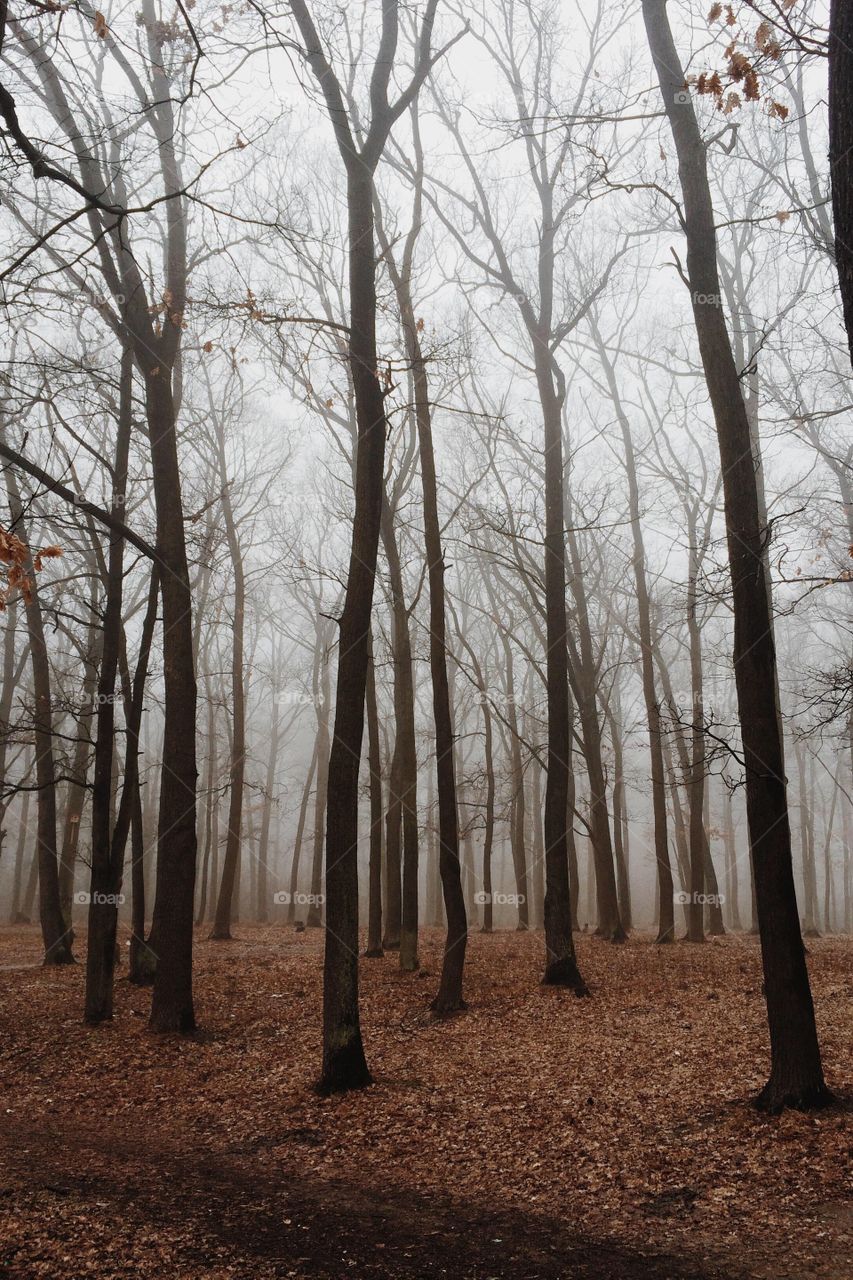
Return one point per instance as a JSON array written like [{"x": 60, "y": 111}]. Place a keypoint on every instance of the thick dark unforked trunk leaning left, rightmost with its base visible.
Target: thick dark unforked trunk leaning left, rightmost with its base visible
[{"x": 797, "y": 1077}]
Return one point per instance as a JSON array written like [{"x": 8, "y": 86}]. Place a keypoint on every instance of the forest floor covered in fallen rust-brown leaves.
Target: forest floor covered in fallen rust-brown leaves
[{"x": 535, "y": 1136}]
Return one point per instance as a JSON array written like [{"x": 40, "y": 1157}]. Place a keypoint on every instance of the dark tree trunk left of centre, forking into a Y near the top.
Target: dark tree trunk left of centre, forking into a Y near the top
[{"x": 344, "y": 1062}]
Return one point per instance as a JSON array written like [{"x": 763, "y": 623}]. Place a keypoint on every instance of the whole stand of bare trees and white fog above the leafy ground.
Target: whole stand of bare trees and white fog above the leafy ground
[{"x": 426, "y": 437}]
